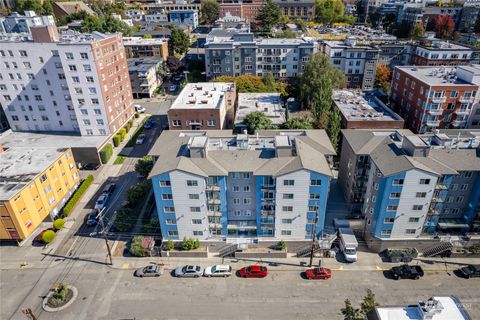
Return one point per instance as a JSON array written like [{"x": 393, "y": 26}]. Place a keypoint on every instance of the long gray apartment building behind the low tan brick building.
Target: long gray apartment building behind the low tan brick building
[{"x": 236, "y": 53}]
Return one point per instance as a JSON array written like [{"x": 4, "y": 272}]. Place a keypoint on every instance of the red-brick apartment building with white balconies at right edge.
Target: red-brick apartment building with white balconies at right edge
[{"x": 430, "y": 98}]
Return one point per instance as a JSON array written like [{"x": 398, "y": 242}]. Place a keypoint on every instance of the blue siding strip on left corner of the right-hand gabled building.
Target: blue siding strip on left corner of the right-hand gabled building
[{"x": 382, "y": 202}]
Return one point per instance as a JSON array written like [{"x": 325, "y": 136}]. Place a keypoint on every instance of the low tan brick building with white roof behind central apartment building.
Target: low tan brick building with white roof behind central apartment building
[{"x": 203, "y": 106}]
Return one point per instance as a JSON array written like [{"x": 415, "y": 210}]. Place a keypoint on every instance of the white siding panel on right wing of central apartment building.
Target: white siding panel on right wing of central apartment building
[{"x": 301, "y": 194}]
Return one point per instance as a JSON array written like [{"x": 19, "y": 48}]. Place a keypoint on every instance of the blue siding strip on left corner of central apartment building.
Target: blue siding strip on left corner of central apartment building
[{"x": 163, "y": 216}]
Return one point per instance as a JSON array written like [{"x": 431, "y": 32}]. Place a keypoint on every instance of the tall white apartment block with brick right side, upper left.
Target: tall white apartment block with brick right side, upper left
[{"x": 72, "y": 82}]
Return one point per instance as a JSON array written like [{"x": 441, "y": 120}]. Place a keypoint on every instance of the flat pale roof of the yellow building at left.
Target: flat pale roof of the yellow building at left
[{"x": 19, "y": 165}]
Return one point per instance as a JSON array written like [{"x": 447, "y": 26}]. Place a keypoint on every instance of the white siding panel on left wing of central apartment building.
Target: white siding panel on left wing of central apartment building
[{"x": 182, "y": 204}]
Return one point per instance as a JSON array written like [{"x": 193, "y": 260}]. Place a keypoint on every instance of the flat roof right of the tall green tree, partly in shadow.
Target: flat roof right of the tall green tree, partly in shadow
[{"x": 357, "y": 106}]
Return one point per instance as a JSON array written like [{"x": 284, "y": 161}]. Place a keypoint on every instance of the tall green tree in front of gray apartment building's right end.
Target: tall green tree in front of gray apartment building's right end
[{"x": 316, "y": 84}]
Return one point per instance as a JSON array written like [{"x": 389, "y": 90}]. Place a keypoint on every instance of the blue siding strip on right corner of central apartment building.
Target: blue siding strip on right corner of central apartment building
[{"x": 322, "y": 190}]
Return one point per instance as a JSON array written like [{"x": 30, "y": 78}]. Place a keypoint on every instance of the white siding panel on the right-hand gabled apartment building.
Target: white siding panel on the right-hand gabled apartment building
[{"x": 408, "y": 199}]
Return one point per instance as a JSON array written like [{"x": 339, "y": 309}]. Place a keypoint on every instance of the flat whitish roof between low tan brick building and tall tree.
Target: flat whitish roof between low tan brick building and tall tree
[{"x": 270, "y": 104}]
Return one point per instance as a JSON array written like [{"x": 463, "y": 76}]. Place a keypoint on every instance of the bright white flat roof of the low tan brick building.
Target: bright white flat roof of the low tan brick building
[{"x": 202, "y": 95}]
